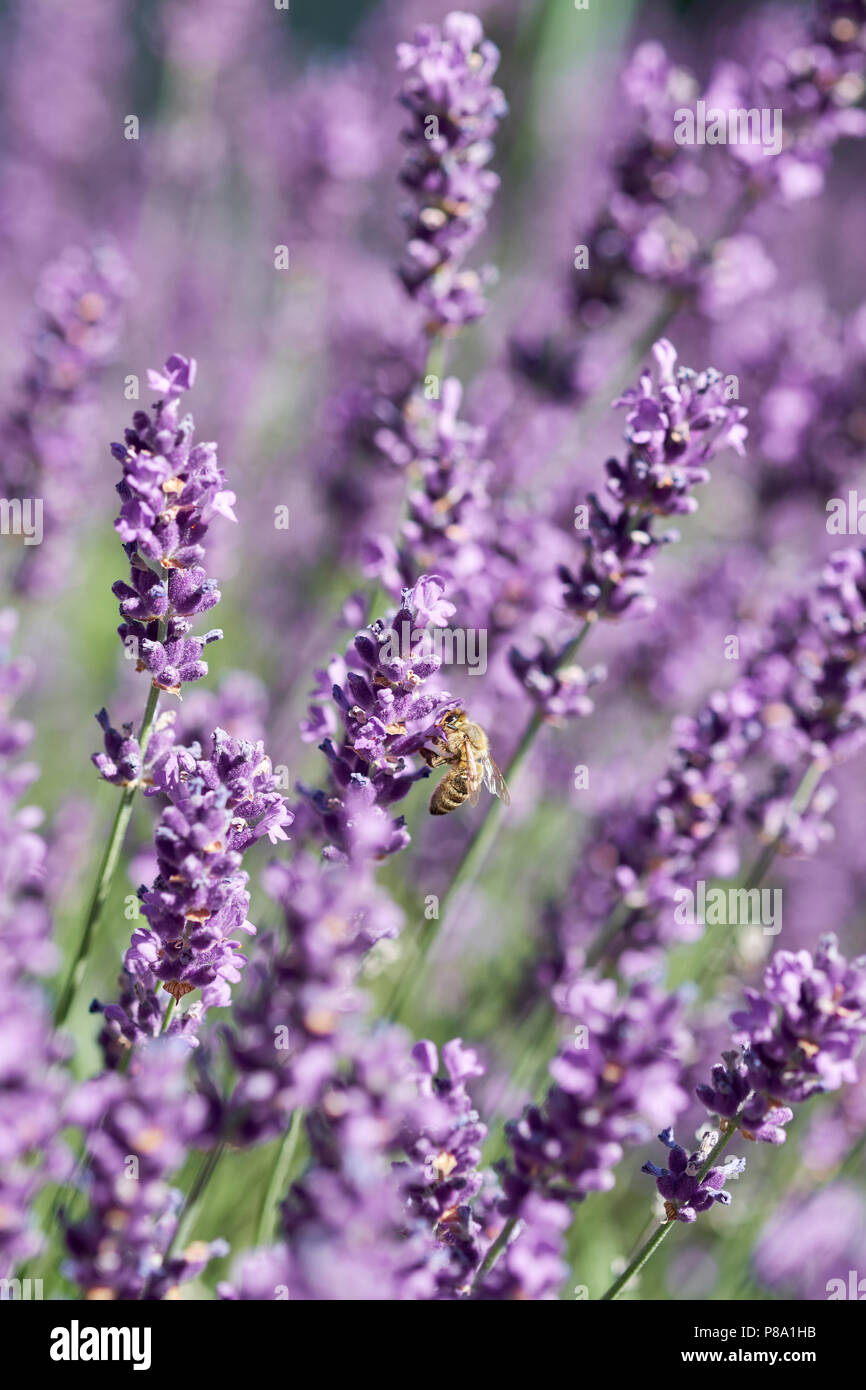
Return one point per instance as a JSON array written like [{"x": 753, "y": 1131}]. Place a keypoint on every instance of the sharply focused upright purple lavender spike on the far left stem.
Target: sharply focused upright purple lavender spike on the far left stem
[{"x": 170, "y": 493}]
